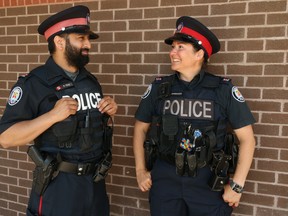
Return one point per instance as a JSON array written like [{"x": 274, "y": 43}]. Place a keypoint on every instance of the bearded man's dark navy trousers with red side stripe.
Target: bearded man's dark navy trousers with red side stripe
[{"x": 71, "y": 195}]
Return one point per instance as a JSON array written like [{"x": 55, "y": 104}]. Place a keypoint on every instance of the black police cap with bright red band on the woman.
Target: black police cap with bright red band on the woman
[{"x": 191, "y": 30}]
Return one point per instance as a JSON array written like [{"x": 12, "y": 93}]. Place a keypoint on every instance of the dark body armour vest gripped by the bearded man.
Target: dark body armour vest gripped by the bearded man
[{"x": 79, "y": 134}]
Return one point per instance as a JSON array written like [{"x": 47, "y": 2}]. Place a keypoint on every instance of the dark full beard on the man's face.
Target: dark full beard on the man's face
[{"x": 74, "y": 56}]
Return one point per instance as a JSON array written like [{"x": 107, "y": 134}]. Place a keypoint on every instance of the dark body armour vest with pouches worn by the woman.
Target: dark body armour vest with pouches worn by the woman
[{"x": 189, "y": 118}]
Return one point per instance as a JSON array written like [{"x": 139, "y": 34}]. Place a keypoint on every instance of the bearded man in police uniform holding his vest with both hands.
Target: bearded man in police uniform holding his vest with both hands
[{"x": 61, "y": 107}]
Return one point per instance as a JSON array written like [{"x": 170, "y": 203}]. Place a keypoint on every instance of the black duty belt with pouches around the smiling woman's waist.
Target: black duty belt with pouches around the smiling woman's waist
[{"x": 222, "y": 164}]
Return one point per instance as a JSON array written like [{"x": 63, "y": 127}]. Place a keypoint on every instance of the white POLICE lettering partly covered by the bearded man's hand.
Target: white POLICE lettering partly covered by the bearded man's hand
[{"x": 87, "y": 100}]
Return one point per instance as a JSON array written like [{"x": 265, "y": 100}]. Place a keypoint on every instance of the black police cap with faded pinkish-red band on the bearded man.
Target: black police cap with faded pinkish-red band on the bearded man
[{"x": 71, "y": 20}]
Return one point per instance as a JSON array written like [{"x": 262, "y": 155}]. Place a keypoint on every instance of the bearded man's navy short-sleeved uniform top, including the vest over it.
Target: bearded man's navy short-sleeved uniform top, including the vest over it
[{"x": 37, "y": 93}]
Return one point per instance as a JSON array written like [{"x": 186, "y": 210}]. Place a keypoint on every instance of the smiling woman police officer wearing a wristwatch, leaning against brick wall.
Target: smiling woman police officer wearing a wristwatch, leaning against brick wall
[{"x": 188, "y": 113}]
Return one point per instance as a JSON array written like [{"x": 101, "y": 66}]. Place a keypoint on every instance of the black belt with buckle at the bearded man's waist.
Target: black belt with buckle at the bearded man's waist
[{"x": 77, "y": 168}]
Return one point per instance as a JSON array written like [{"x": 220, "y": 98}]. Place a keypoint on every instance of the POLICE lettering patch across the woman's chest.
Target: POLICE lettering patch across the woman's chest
[{"x": 189, "y": 108}]
